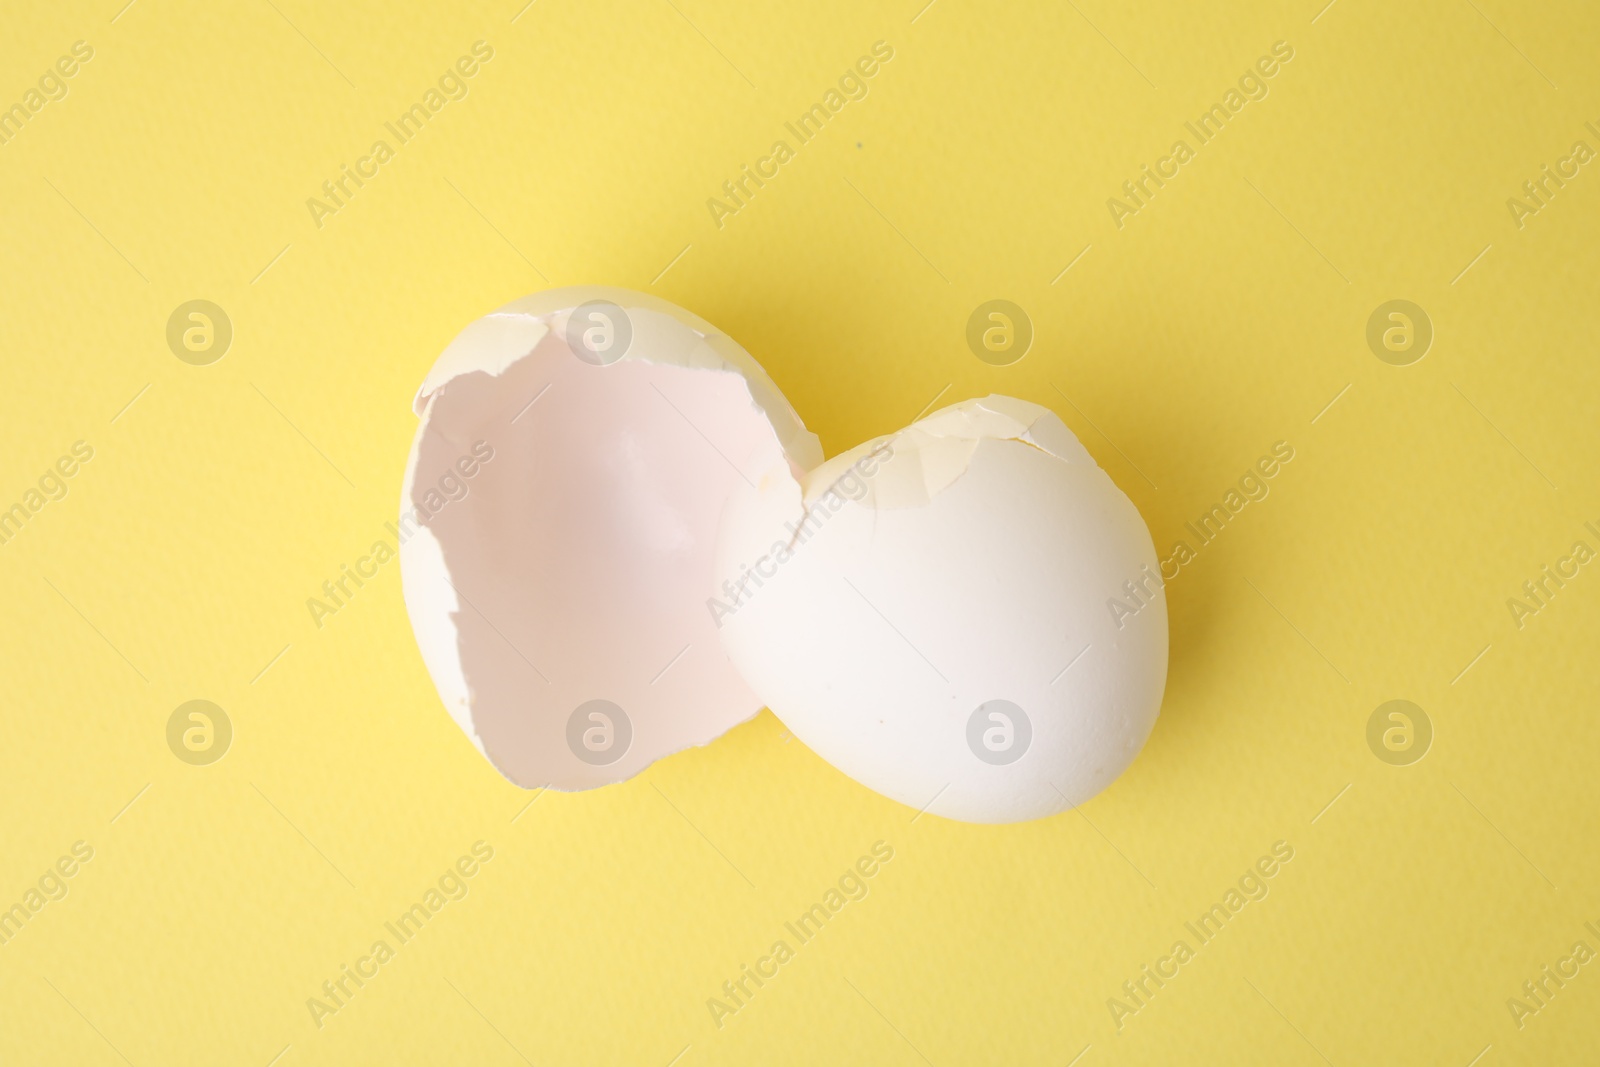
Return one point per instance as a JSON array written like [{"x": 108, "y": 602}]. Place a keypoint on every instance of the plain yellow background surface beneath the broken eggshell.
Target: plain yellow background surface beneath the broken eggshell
[{"x": 1220, "y": 319}]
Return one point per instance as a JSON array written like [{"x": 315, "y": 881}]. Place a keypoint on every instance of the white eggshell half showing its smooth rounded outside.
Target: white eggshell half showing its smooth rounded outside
[{"x": 886, "y": 601}]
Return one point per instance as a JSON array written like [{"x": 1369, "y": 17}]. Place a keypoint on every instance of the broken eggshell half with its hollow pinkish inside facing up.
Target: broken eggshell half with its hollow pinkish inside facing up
[{"x": 558, "y": 526}]
